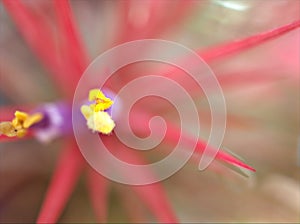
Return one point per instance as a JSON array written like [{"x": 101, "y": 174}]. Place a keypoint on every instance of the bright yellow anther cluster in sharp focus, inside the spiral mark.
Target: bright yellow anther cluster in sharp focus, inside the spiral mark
[{"x": 97, "y": 119}]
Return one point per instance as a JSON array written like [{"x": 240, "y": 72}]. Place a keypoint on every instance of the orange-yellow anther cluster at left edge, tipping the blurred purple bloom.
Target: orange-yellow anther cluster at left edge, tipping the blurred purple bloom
[{"x": 19, "y": 125}]
